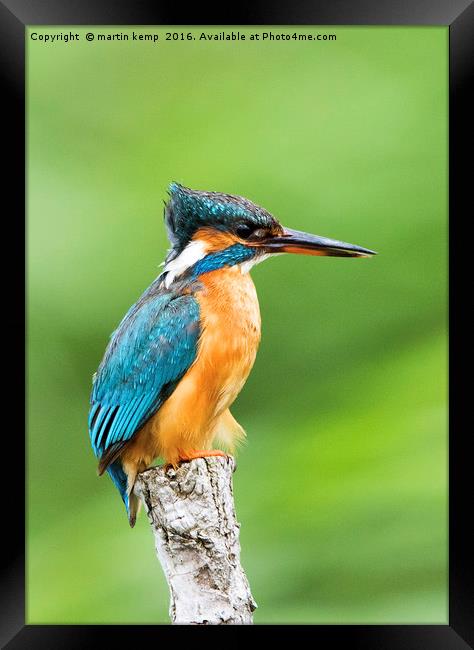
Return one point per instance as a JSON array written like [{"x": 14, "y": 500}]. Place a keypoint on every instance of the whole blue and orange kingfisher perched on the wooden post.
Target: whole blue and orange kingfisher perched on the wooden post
[{"x": 183, "y": 351}]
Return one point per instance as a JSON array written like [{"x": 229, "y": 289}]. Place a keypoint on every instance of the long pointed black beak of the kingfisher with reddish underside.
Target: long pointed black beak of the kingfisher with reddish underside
[{"x": 295, "y": 241}]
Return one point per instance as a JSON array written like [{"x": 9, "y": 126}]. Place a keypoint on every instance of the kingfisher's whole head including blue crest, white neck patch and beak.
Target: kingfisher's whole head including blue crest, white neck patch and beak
[{"x": 209, "y": 230}]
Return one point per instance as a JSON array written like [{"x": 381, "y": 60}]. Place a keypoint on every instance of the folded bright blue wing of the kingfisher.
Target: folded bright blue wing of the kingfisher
[{"x": 150, "y": 351}]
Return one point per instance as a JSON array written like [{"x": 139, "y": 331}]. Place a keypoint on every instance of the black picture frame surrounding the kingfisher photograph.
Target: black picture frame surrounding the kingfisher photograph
[{"x": 15, "y": 15}]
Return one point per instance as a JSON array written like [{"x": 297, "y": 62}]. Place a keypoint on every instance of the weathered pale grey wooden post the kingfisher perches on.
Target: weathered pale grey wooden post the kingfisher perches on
[{"x": 192, "y": 515}]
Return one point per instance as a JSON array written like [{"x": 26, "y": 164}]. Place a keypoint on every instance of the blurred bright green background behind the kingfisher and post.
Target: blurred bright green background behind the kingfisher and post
[{"x": 341, "y": 489}]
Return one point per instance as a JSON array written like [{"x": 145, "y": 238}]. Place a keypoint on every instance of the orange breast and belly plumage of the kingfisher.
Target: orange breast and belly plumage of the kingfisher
[{"x": 230, "y": 321}]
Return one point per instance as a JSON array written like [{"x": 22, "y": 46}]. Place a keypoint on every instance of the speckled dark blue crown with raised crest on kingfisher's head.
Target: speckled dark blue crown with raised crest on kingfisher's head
[{"x": 188, "y": 210}]
